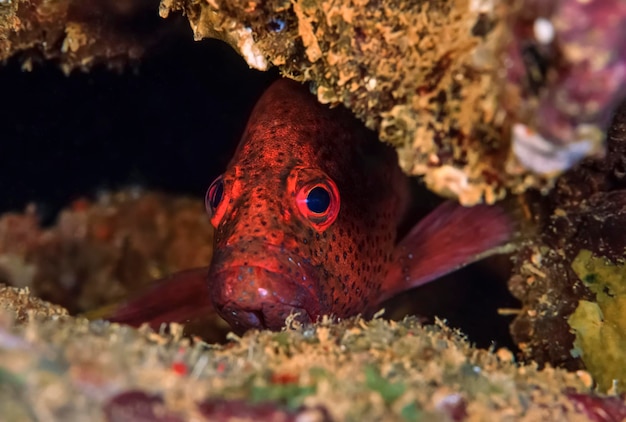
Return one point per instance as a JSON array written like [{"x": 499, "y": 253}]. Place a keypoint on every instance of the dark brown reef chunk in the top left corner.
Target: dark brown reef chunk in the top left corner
[{"x": 78, "y": 33}]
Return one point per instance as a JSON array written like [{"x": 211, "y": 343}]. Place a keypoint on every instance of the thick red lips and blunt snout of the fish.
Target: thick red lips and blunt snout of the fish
[{"x": 260, "y": 290}]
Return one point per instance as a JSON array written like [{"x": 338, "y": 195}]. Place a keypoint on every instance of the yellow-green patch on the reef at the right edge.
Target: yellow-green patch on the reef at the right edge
[{"x": 600, "y": 326}]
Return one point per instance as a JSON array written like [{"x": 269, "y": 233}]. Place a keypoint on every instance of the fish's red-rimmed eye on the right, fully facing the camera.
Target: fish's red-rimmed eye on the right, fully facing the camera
[{"x": 319, "y": 203}]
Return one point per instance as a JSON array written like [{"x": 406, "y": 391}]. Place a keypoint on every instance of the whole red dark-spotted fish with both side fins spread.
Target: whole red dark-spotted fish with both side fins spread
[{"x": 305, "y": 221}]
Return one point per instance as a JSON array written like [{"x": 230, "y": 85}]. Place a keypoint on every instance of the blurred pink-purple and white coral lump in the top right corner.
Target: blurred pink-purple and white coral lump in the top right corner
[{"x": 565, "y": 68}]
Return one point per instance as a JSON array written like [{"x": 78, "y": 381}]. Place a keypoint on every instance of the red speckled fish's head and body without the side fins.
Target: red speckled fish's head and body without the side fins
[{"x": 302, "y": 222}]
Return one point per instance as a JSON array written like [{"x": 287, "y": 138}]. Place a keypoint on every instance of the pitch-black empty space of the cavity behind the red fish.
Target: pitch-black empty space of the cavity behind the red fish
[{"x": 171, "y": 123}]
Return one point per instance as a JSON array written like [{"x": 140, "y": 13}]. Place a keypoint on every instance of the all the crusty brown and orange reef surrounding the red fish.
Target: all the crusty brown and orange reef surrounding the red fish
[{"x": 480, "y": 98}]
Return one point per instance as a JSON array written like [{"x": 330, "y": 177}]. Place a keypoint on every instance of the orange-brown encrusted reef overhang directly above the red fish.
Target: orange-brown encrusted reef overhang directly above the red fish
[{"x": 411, "y": 70}]
